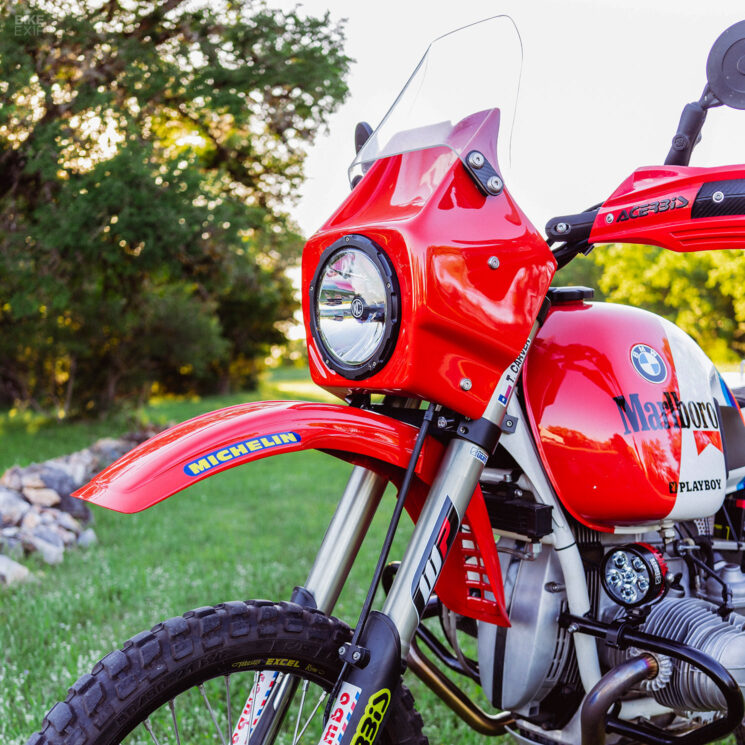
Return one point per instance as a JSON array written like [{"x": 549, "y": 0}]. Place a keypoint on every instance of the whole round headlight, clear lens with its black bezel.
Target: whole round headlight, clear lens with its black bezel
[{"x": 354, "y": 307}]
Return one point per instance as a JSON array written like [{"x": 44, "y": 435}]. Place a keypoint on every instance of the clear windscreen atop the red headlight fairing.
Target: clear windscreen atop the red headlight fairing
[{"x": 473, "y": 69}]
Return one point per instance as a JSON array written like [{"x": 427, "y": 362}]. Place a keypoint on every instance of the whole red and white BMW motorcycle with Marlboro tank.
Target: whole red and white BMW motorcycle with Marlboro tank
[{"x": 575, "y": 470}]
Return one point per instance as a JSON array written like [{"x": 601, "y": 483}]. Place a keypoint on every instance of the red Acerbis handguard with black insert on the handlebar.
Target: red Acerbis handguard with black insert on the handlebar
[{"x": 677, "y": 207}]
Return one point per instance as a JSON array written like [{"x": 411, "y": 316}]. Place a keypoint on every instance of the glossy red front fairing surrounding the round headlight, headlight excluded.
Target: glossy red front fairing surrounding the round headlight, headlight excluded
[{"x": 423, "y": 209}]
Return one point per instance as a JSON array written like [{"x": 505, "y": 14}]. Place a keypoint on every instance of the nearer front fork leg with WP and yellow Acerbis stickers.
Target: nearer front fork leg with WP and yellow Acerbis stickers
[{"x": 387, "y": 635}]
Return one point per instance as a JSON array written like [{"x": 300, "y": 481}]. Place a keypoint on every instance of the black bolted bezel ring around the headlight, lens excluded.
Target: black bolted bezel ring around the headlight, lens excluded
[{"x": 393, "y": 318}]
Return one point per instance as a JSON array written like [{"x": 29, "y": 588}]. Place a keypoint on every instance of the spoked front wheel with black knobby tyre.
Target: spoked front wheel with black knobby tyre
[{"x": 210, "y": 676}]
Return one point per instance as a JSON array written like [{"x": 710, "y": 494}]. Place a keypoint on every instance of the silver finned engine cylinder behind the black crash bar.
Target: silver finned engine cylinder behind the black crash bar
[{"x": 695, "y": 623}]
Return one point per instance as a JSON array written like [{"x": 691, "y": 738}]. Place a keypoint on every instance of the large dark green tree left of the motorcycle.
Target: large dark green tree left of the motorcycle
[{"x": 147, "y": 150}]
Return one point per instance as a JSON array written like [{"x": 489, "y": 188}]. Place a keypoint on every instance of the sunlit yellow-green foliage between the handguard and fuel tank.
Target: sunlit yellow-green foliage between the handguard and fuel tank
[{"x": 702, "y": 292}]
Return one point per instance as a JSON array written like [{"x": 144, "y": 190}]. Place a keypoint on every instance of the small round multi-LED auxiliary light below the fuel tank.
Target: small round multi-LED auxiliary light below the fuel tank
[{"x": 633, "y": 574}]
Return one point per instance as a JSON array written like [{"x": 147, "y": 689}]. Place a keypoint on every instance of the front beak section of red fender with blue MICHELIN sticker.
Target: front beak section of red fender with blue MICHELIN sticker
[{"x": 189, "y": 452}]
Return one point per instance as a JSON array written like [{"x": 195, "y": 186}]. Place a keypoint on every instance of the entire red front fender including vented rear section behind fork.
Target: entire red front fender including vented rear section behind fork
[{"x": 193, "y": 450}]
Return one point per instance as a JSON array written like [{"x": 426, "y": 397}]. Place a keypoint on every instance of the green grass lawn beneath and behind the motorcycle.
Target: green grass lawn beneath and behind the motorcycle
[{"x": 250, "y": 532}]
